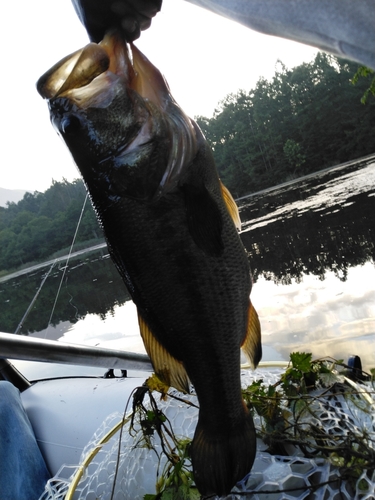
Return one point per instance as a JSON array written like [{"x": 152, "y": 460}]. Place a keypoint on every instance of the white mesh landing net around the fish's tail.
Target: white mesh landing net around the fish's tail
[{"x": 131, "y": 472}]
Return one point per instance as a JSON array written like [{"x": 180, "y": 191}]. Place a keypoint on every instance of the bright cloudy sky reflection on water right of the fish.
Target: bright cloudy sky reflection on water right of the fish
[{"x": 330, "y": 318}]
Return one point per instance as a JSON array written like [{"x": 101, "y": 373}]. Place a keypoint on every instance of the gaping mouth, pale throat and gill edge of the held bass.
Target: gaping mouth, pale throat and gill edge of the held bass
[{"x": 86, "y": 78}]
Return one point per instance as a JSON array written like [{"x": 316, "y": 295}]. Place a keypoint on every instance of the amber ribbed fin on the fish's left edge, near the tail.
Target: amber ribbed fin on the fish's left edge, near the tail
[{"x": 171, "y": 371}]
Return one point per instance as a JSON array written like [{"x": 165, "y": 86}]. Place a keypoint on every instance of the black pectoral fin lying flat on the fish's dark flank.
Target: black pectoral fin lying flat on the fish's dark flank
[{"x": 204, "y": 219}]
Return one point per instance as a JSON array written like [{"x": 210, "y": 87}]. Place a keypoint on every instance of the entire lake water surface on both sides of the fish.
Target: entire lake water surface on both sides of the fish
[{"x": 311, "y": 249}]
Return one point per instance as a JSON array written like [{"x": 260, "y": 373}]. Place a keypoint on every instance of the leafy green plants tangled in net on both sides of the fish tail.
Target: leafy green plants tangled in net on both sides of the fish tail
[{"x": 296, "y": 411}]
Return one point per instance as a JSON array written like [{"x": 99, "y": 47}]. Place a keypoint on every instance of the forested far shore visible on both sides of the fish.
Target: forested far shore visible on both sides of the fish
[{"x": 303, "y": 120}]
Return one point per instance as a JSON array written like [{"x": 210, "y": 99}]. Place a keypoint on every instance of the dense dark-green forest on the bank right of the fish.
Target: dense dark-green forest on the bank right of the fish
[{"x": 303, "y": 120}]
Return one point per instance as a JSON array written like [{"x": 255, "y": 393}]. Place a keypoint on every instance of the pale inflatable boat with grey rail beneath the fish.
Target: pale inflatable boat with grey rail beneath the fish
[{"x": 79, "y": 401}]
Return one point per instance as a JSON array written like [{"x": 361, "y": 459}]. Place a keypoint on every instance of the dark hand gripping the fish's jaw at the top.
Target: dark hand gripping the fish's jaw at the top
[{"x": 129, "y": 16}]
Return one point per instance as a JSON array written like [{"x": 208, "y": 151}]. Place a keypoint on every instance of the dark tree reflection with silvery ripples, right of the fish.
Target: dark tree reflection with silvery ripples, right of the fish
[{"x": 324, "y": 223}]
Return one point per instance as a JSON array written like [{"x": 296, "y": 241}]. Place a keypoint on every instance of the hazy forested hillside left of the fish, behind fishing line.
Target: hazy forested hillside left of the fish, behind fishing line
[{"x": 43, "y": 223}]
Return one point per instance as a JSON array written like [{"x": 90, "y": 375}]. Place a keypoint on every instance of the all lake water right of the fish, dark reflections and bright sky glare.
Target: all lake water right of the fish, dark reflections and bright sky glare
[{"x": 311, "y": 246}]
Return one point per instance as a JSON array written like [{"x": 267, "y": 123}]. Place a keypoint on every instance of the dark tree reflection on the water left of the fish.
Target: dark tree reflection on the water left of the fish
[{"x": 91, "y": 285}]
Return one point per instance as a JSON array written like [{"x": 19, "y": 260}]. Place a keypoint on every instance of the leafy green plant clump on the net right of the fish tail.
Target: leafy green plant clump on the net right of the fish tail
[{"x": 296, "y": 411}]
